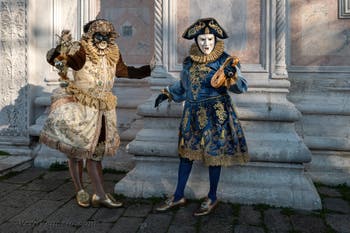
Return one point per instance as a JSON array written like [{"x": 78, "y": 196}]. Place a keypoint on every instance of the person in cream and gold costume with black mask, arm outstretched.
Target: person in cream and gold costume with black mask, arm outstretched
[{"x": 82, "y": 119}]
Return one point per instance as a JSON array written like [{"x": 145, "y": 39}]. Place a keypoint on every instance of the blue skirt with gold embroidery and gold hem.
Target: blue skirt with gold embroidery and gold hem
[{"x": 210, "y": 131}]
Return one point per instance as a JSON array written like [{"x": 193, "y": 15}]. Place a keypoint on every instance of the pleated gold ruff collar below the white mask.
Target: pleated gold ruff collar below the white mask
[{"x": 199, "y": 57}]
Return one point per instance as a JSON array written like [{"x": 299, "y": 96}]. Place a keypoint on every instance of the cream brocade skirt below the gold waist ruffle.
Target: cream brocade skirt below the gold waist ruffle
[{"x": 78, "y": 130}]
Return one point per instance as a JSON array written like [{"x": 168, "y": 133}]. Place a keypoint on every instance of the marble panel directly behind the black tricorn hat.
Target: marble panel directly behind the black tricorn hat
[{"x": 240, "y": 19}]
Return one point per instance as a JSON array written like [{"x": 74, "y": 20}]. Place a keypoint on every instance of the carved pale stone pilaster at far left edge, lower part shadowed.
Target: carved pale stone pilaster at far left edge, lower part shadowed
[{"x": 14, "y": 103}]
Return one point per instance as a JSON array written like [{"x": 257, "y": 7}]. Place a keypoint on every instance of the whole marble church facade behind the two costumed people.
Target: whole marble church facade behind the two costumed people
[{"x": 296, "y": 115}]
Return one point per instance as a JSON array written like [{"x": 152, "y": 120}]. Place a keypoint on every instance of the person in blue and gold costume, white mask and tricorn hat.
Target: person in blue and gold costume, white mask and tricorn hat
[{"x": 210, "y": 130}]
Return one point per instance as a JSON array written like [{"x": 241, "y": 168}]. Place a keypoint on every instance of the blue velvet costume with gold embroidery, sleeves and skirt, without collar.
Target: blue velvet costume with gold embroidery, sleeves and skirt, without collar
[{"x": 210, "y": 129}]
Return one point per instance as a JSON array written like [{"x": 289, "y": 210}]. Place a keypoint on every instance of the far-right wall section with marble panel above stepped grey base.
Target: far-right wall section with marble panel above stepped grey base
[{"x": 319, "y": 71}]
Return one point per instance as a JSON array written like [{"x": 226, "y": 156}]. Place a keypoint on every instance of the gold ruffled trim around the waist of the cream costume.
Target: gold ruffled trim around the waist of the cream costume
[{"x": 107, "y": 102}]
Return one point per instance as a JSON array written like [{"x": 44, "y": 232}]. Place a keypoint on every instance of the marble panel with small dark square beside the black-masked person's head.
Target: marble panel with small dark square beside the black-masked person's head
[{"x": 134, "y": 22}]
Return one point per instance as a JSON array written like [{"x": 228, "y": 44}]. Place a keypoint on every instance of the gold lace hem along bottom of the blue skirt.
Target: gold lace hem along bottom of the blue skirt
[{"x": 210, "y": 160}]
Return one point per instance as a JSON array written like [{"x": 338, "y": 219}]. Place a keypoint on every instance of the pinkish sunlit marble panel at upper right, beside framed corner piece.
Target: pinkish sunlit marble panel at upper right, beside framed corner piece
[{"x": 318, "y": 37}]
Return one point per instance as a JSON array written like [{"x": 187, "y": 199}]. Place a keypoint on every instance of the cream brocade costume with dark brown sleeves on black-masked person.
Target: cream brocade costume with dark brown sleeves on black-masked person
[{"x": 76, "y": 116}]
